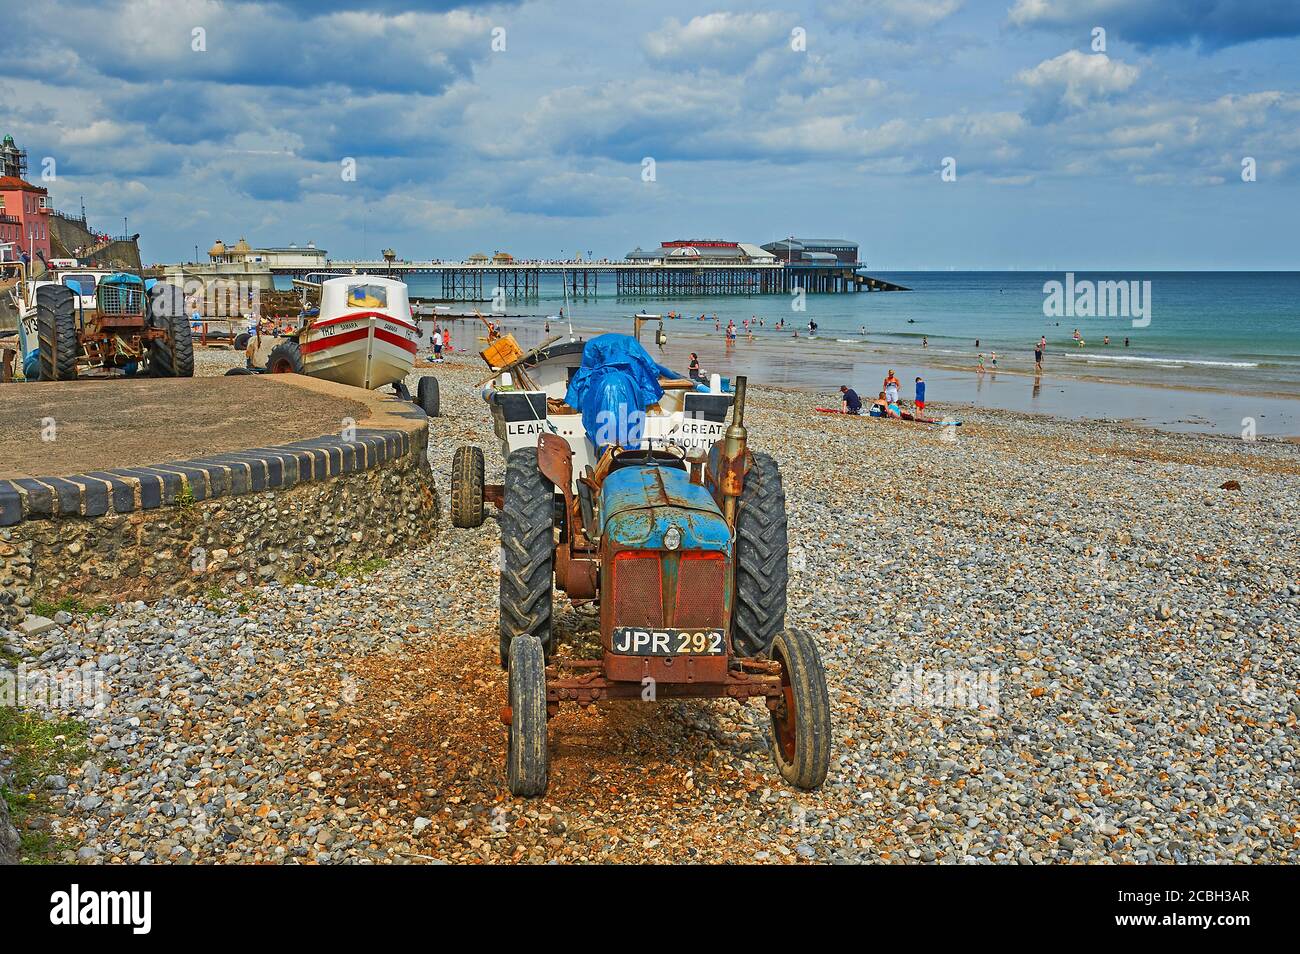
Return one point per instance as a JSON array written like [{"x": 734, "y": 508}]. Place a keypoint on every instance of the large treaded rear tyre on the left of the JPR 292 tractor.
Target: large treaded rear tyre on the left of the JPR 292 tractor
[{"x": 527, "y": 553}]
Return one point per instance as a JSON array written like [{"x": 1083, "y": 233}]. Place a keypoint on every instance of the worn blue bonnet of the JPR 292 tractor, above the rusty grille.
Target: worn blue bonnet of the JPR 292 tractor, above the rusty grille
[{"x": 640, "y": 504}]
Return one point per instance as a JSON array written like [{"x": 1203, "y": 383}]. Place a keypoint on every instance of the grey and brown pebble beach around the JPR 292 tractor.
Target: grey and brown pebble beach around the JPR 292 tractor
[{"x": 1047, "y": 641}]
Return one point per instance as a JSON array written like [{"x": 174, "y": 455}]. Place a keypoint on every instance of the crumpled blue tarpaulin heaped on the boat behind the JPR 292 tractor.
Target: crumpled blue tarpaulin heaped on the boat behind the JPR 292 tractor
[{"x": 614, "y": 387}]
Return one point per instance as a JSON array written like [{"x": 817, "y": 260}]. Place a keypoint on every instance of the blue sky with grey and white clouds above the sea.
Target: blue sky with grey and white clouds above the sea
[{"x": 527, "y": 127}]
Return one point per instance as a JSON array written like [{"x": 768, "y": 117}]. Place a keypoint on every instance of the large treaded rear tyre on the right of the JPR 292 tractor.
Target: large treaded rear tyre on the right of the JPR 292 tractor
[{"x": 762, "y": 552}]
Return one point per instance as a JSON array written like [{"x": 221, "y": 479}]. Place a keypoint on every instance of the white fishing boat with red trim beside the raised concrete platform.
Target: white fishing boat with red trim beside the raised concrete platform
[{"x": 363, "y": 335}]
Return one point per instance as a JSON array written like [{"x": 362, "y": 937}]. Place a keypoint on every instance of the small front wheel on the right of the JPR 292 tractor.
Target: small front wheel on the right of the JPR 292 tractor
[{"x": 801, "y": 727}]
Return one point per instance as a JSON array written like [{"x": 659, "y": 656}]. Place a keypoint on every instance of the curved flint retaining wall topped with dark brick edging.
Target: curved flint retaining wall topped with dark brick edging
[{"x": 226, "y": 521}]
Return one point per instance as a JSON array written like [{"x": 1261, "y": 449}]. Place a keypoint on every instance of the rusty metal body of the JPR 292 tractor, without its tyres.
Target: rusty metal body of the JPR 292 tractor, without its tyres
[{"x": 623, "y": 560}]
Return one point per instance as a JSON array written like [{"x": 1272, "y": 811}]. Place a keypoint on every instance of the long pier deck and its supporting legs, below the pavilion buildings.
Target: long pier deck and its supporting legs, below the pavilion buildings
[{"x": 478, "y": 281}]
